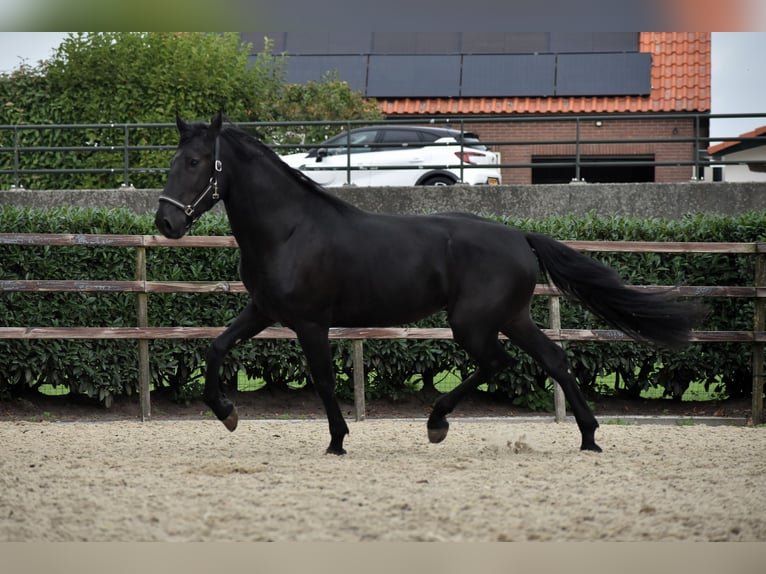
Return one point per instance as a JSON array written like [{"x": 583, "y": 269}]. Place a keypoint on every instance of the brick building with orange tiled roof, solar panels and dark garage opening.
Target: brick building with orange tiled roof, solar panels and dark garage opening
[{"x": 635, "y": 92}]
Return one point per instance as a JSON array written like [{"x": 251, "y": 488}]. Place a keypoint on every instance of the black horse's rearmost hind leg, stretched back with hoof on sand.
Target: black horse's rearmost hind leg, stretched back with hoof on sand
[{"x": 531, "y": 339}]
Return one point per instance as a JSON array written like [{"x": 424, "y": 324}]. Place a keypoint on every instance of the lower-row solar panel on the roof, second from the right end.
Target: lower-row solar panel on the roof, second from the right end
[{"x": 506, "y": 76}]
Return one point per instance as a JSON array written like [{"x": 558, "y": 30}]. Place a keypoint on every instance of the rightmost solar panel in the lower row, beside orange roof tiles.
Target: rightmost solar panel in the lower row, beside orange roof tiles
[{"x": 603, "y": 74}]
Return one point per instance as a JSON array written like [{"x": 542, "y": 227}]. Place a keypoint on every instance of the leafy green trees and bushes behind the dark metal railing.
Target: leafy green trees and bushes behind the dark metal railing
[{"x": 148, "y": 77}]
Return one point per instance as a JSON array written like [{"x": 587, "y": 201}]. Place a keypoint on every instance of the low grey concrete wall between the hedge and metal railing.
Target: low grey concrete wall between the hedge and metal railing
[{"x": 665, "y": 201}]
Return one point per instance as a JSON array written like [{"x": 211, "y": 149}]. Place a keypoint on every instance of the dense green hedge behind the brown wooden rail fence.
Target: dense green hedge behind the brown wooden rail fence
[{"x": 105, "y": 369}]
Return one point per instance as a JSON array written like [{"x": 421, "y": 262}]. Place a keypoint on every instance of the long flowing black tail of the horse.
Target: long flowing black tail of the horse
[{"x": 643, "y": 315}]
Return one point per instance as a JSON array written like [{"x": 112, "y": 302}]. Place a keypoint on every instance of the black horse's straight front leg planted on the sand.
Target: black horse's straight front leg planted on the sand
[{"x": 316, "y": 346}]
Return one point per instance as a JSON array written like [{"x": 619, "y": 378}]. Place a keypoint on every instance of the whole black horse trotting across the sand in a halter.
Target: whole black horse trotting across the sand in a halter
[{"x": 311, "y": 261}]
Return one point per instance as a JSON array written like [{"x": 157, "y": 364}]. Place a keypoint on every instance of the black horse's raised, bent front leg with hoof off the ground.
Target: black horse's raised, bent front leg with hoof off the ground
[{"x": 248, "y": 323}]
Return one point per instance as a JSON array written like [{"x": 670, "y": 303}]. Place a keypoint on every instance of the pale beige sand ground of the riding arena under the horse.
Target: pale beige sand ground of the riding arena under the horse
[{"x": 491, "y": 480}]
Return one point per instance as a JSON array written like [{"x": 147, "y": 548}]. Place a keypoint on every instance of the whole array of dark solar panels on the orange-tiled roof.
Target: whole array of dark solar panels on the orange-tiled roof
[{"x": 573, "y": 63}]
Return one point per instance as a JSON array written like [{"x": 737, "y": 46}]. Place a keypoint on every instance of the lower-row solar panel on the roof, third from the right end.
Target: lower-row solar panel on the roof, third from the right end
[{"x": 413, "y": 76}]
